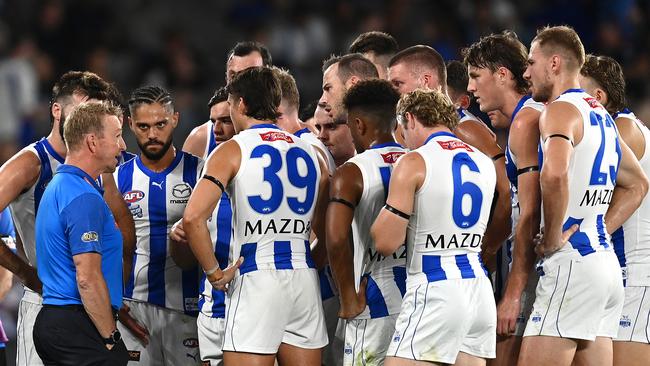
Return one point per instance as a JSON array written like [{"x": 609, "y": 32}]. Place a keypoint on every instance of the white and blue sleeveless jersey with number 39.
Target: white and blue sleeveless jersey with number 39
[{"x": 273, "y": 196}]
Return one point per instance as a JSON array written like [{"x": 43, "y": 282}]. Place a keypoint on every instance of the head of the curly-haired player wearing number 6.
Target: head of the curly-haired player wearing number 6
[{"x": 421, "y": 110}]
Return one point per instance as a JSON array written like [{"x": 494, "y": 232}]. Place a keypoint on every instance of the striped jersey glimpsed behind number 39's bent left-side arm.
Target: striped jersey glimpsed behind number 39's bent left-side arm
[{"x": 212, "y": 302}]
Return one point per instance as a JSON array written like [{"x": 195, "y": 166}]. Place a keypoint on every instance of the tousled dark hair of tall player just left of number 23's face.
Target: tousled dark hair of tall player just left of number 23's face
[{"x": 500, "y": 50}]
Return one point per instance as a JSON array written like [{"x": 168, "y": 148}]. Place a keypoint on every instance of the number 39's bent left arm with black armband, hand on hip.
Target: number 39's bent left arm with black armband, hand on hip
[{"x": 221, "y": 166}]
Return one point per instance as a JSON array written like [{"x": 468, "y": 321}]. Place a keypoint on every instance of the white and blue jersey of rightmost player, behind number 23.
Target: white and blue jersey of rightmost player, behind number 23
[{"x": 632, "y": 240}]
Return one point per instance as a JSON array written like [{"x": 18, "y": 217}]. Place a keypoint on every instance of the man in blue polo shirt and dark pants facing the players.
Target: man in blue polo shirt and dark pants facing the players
[{"x": 79, "y": 248}]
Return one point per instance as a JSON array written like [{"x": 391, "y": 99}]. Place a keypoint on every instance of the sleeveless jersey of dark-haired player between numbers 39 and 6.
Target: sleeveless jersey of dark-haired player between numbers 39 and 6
[{"x": 386, "y": 275}]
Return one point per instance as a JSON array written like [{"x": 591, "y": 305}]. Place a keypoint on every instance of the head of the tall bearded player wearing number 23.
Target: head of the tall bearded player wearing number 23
[{"x": 556, "y": 52}]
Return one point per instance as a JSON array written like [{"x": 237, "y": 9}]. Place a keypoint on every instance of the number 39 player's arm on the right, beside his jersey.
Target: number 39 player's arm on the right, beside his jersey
[{"x": 319, "y": 252}]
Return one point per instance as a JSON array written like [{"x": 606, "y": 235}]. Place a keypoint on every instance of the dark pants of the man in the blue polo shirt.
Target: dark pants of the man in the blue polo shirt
[{"x": 65, "y": 335}]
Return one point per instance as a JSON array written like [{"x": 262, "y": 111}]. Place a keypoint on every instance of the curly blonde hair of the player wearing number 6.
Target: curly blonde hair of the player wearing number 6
[{"x": 430, "y": 107}]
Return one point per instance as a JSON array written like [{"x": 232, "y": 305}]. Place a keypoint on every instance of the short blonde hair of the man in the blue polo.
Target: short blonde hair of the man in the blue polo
[{"x": 85, "y": 119}]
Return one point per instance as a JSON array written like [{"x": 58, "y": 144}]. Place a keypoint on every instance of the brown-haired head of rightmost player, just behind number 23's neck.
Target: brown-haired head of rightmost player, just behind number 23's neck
[{"x": 602, "y": 77}]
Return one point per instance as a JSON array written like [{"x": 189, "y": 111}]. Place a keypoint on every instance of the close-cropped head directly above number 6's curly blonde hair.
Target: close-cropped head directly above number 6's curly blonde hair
[{"x": 417, "y": 67}]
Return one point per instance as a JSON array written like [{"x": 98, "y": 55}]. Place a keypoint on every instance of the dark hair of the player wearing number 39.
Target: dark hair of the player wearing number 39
[{"x": 260, "y": 90}]
